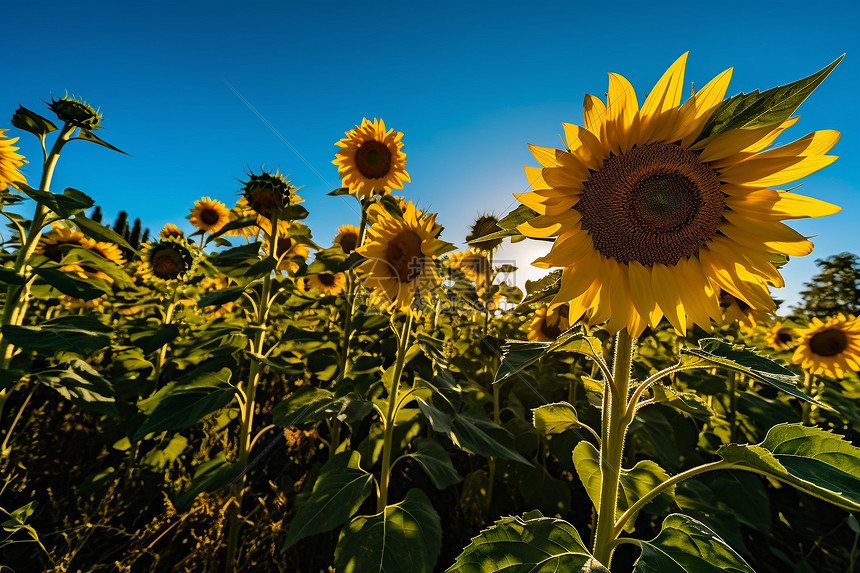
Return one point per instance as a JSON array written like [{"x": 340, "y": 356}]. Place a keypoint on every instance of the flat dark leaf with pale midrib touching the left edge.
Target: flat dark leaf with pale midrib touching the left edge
[{"x": 79, "y": 334}]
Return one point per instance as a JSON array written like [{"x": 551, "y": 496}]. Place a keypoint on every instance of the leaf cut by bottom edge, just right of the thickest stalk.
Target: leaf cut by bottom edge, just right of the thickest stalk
[{"x": 685, "y": 545}]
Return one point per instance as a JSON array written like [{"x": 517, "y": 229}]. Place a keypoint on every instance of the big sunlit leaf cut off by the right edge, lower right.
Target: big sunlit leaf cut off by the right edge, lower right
[{"x": 811, "y": 459}]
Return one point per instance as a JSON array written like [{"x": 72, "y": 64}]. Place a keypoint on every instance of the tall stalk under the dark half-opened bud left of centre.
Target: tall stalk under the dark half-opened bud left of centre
[{"x": 246, "y": 411}]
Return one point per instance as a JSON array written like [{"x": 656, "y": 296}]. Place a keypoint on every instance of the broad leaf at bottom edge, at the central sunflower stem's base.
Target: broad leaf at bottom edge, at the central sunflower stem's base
[{"x": 404, "y": 536}]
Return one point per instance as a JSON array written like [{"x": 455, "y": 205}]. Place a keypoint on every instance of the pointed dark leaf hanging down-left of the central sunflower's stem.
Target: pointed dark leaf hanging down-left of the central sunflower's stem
[{"x": 338, "y": 492}]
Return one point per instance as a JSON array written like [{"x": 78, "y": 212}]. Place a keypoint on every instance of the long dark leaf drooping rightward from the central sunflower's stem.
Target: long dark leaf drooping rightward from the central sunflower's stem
[{"x": 472, "y": 434}]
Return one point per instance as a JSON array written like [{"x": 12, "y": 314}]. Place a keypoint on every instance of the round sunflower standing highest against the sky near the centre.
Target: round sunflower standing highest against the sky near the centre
[{"x": 371, "y": 161}]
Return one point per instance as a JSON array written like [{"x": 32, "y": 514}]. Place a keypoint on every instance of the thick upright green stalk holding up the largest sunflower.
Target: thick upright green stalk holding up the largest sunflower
[{"x": 615, "y": 427}]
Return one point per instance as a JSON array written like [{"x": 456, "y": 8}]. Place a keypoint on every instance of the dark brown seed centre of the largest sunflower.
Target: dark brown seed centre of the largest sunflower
[{"x": 655, "y": 204}]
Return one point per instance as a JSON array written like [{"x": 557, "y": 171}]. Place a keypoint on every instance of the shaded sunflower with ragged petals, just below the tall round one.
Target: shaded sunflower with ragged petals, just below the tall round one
[{"x": 401, "y": 255}]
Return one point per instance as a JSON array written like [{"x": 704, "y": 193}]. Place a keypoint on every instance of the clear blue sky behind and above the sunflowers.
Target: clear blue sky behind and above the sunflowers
[{"x": 470, "y": 83}]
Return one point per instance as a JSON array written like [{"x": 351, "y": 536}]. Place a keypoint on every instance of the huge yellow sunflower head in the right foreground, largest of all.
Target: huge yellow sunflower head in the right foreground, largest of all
[{"x": 650, "y": 221}]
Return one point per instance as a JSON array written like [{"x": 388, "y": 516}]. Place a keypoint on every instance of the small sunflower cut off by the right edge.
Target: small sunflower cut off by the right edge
[{"x": 831, "y": 347}]
